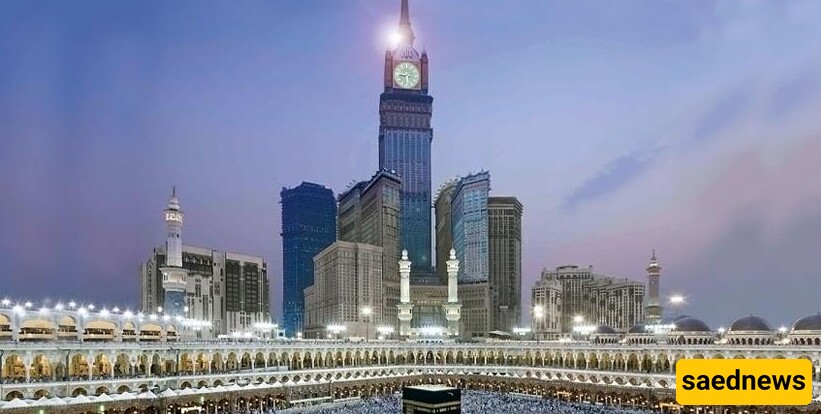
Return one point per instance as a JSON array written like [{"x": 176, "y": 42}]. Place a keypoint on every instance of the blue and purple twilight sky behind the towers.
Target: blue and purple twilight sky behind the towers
[{"x": 689, "y": 127}]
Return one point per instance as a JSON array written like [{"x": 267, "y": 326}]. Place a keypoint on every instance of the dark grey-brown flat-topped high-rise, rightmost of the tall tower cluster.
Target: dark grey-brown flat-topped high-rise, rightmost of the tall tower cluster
[{"x": 505, "y": 261}]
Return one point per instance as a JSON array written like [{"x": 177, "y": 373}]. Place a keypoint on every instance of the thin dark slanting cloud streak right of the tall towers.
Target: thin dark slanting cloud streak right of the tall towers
[{"x": 615, "y": 175}]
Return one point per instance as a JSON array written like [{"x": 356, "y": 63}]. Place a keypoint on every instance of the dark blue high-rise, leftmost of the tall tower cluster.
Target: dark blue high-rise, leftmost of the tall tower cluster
[{"x": 308, "y": 227}]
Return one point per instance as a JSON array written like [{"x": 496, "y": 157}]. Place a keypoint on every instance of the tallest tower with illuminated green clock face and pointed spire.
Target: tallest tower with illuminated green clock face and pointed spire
[{"x": 405, "y": 136}]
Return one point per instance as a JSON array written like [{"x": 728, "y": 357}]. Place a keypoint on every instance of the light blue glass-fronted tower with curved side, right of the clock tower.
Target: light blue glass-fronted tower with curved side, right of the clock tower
[{"x": 470, "y": 220}]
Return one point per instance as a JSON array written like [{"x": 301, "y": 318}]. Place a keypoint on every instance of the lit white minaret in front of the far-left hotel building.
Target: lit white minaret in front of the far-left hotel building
[{"x": 173, "y": 275}]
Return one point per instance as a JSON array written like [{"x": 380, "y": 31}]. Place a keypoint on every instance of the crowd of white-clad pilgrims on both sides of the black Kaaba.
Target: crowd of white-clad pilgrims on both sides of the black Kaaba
[{"x": 473, "y": 402}]
